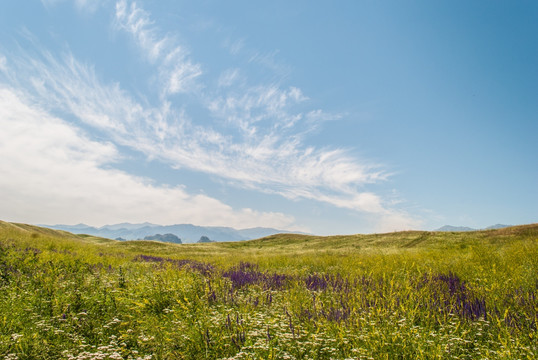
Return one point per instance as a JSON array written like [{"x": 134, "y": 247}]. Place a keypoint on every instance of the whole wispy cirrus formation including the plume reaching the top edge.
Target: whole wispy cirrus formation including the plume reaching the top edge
[{"x": 252, "y": 135}]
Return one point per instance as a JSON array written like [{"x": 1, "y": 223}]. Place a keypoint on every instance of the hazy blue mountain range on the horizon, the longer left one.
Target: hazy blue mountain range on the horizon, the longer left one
[{"x": 186, "y": 232}]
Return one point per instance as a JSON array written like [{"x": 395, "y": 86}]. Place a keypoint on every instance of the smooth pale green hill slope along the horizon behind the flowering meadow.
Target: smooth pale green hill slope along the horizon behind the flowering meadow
[{"x": 289, "y": 244}]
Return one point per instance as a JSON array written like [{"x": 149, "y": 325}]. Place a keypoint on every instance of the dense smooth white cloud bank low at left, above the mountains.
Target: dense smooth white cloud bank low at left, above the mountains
[{"x": 51, "y": 173}]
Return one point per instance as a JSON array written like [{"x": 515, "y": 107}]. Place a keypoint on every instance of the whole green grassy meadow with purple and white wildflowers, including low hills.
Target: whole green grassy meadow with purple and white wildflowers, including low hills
[{"x": 405, "y": 295}]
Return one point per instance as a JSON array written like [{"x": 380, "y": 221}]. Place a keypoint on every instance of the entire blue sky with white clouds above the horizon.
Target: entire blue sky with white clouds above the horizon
[{"x": 326, "y": 117}]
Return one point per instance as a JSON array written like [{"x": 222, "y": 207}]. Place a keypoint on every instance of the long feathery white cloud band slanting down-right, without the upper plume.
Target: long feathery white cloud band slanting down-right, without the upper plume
[{"x": 268, "y": 155}]
